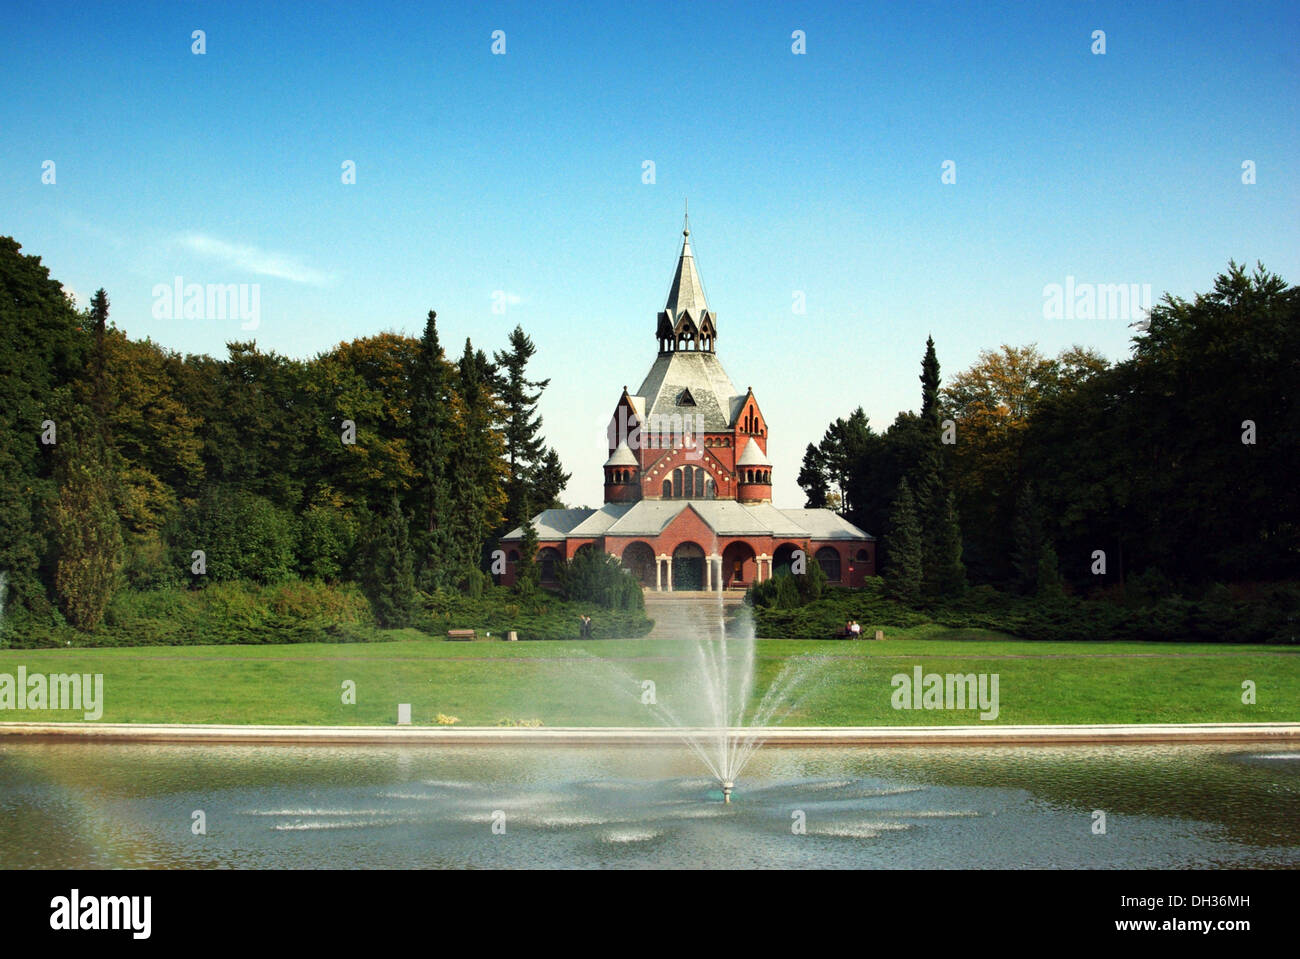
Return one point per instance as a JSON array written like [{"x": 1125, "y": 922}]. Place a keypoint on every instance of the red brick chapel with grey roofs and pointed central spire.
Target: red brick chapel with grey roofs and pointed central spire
[{"x": 688, "y": 484}]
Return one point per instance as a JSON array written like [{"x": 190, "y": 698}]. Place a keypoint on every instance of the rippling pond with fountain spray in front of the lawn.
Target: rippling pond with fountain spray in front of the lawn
[{"x": 106, "y": 806}]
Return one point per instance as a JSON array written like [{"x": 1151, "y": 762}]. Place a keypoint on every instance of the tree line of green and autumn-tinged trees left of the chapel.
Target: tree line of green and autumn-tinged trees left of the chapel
[{"x": 124, "y": 465}]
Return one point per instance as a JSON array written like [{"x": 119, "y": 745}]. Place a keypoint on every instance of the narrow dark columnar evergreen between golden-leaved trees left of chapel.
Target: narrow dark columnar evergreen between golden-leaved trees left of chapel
[{"x": 431, "y": 457}]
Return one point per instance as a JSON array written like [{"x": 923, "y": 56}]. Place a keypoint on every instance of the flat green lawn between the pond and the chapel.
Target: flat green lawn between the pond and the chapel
[{"x": 600, "y": 683}]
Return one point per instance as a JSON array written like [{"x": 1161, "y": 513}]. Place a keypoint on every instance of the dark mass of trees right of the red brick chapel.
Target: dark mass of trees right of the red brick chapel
[{"x": 1038, "y": 475}]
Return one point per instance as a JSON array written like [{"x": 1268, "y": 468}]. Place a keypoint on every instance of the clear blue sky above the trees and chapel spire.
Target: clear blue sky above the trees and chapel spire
[{"x": 523, "y": 175}]
